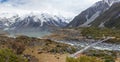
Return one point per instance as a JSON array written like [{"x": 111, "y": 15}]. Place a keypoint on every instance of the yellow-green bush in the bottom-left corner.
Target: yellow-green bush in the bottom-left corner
[{"x": 7, "y": 55}]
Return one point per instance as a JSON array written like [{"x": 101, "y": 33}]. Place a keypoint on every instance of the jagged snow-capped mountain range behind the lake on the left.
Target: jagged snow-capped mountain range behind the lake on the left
[{"x": 32, "y": 21}]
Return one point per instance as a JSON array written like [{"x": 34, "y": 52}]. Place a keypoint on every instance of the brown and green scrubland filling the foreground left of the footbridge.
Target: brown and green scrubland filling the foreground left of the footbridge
[{"x": 16, "y": 49}]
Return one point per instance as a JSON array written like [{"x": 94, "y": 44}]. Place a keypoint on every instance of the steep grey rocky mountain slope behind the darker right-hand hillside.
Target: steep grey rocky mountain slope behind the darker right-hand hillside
[{"x": 89, "y": 15}]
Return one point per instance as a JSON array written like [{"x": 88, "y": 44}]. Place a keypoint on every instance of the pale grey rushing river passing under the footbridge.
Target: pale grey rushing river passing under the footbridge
[{"x": 100, "y": 46}]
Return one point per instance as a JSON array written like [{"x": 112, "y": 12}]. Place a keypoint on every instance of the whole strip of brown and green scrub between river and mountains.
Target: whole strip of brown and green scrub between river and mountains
[{"x": 77, "y": 34}]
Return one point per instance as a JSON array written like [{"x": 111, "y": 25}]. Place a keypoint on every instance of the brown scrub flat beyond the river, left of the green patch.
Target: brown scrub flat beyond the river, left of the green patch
[{"x": 65, "y": 34}]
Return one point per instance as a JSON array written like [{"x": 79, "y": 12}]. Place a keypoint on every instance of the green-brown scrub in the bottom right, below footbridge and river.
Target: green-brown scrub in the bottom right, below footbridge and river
[{"x": 96, "y": 56}]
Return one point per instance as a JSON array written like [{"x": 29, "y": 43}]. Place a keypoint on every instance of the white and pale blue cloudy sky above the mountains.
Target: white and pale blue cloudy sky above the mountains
[{"x": 66, "y": 8}]
